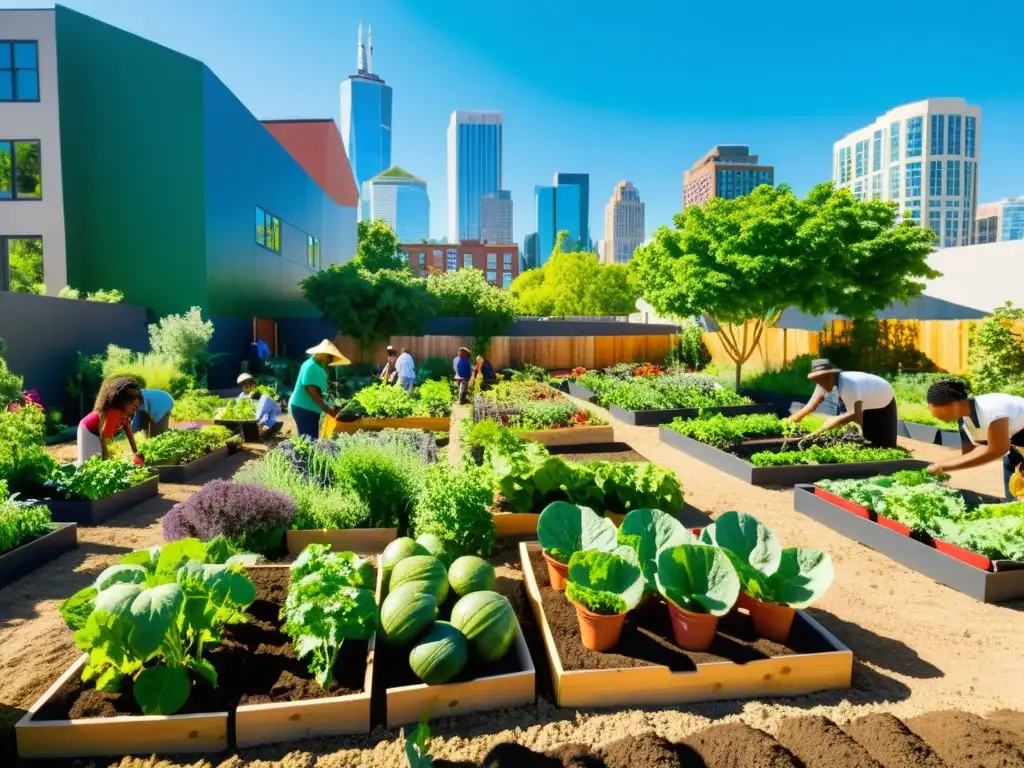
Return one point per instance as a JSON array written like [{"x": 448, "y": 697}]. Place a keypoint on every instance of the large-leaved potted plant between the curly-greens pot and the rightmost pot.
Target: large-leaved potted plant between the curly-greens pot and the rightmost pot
[{"x": 700, "y": 584}]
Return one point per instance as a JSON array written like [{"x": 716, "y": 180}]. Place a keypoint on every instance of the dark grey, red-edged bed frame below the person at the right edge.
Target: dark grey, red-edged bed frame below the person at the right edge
[{"x": 965, "y": 572}]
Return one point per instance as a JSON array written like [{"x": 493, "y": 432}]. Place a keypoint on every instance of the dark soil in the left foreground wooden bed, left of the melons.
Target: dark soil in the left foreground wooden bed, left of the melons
[{"x": 255, "y": 664}]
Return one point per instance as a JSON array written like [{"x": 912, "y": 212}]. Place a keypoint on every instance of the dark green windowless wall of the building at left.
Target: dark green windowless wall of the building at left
[{"x": 133, "y": 155}]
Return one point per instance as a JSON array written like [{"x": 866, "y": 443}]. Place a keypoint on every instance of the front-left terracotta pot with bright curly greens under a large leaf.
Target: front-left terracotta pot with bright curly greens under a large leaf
[{"x": 604, "y": 587}]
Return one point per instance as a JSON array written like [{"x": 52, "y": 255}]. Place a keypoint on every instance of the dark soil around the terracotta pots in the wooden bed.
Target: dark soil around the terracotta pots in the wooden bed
[{"x": 647, "y": 638}]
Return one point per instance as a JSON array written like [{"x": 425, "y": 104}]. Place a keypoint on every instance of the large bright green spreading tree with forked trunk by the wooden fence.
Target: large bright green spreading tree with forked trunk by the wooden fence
[{"x": 744, "y": 262}]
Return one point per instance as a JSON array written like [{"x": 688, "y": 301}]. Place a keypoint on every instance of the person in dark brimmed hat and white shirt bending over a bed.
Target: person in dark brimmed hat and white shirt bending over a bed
[{"x": 869, "y": 401}]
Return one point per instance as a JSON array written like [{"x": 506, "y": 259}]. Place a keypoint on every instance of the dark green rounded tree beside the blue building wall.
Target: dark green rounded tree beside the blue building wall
[{"x": 368, "y": 307}]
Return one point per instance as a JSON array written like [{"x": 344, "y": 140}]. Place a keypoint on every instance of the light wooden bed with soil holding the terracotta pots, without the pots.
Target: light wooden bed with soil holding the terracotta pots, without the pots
[{"x": 649, "y": 669}]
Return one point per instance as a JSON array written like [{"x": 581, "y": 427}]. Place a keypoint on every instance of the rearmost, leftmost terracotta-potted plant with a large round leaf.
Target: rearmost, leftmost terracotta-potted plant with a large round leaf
[{"x": 564, "y": 530}]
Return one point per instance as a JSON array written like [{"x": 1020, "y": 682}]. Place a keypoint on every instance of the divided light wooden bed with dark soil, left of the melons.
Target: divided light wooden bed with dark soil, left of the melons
[{"x": 270, "y": 693}]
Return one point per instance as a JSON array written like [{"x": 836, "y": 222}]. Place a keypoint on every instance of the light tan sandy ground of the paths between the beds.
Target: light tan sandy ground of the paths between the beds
[{"x": 919, "y": 647}]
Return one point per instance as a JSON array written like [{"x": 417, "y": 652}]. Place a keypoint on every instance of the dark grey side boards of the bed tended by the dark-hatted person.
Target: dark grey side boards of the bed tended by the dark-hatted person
[{"x": 782, "y": 477}]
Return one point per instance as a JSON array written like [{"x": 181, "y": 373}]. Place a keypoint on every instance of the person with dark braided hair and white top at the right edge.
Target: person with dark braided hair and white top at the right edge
[{"x": 992, "y": 428}]
